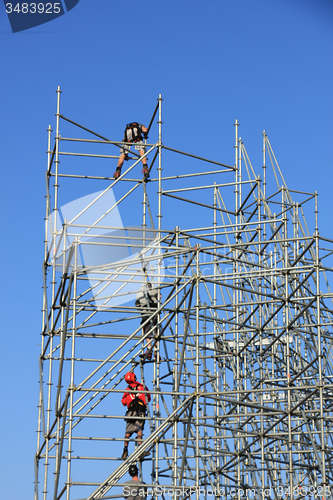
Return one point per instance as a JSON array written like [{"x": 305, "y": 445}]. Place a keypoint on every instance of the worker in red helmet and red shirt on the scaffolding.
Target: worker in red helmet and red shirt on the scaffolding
[{"x": 136, "y": 403}]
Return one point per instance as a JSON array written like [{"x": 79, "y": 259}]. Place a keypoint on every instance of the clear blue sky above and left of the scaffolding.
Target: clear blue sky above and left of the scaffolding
[{"x": 266, "y": 63}]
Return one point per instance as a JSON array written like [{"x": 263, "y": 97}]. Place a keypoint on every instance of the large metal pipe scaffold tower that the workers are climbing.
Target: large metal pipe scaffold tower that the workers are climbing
[{"x": 241, "y": 370}]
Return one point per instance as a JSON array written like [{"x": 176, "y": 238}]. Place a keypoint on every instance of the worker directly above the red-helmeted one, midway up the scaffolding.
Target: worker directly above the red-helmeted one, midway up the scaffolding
[{"x": 147, "y": 302}]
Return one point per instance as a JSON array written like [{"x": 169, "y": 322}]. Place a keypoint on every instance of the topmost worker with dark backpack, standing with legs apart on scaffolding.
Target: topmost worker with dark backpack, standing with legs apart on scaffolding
[{"x": 134, "y": 133}]
